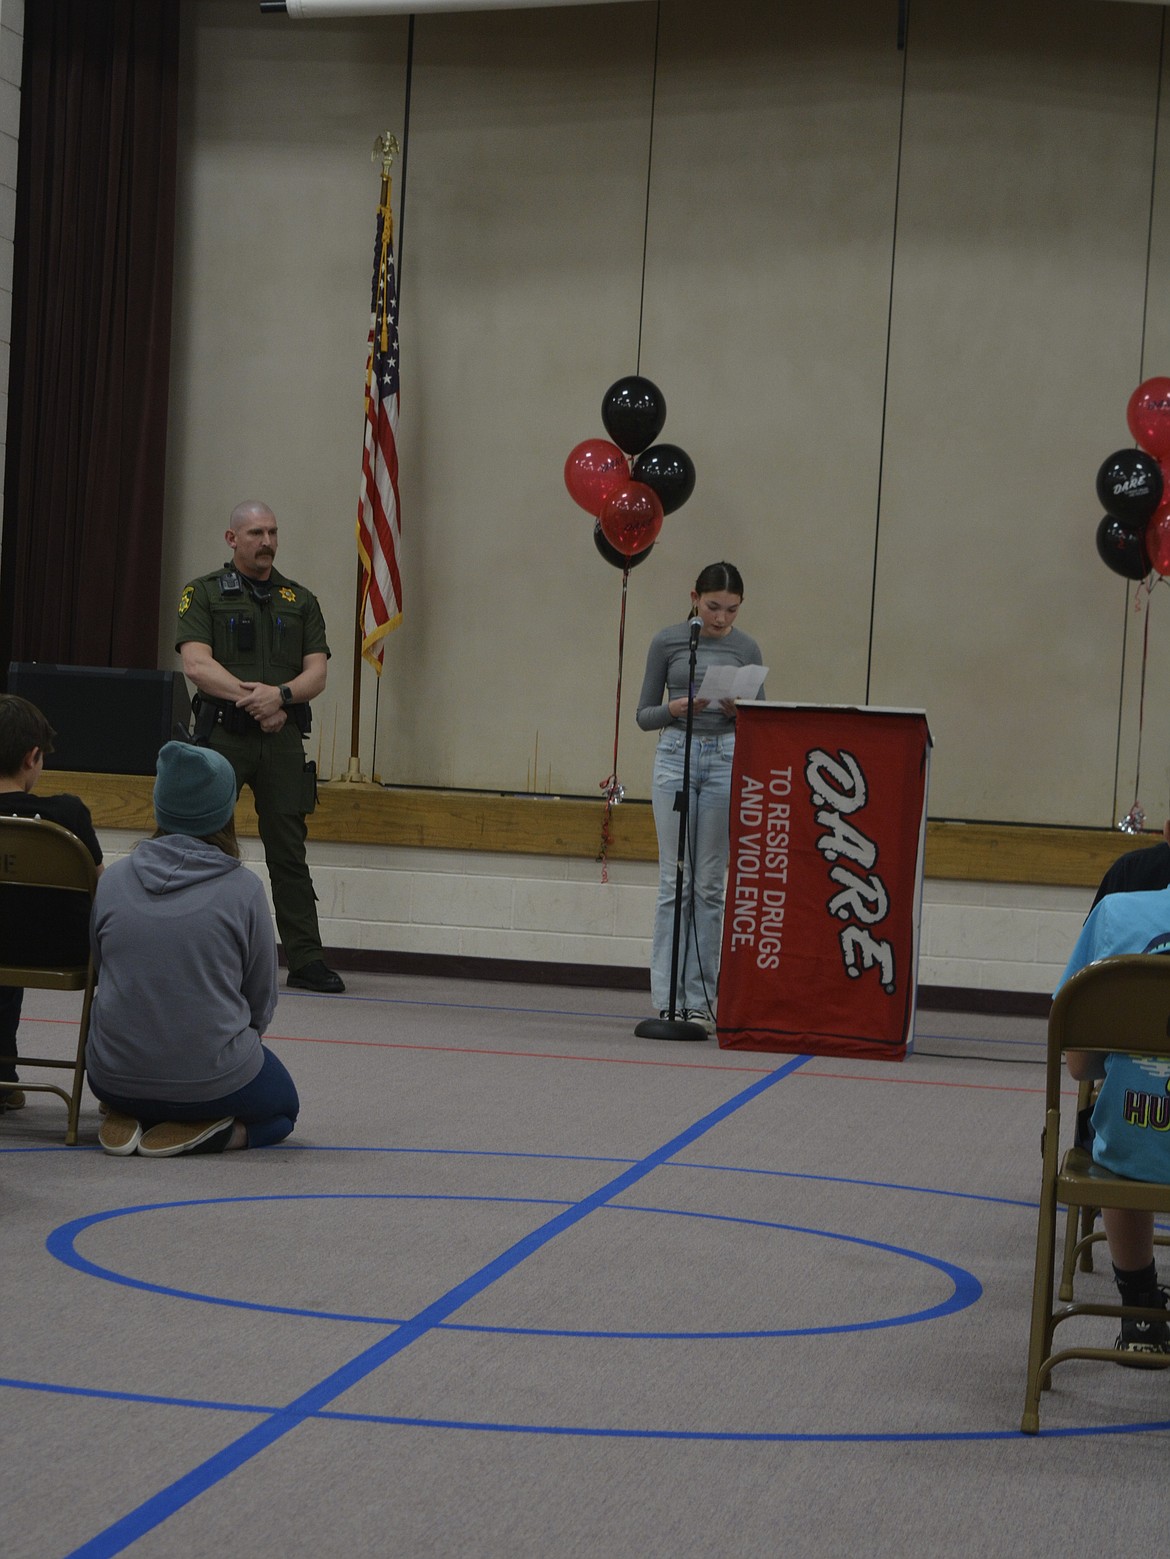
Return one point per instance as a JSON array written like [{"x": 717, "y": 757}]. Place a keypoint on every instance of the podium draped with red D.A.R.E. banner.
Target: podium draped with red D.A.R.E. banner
[{"x": 824, "y": 886}]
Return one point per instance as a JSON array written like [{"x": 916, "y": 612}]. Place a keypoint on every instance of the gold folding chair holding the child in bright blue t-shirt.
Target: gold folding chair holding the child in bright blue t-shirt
[{"x": 1116, "y": 1005}]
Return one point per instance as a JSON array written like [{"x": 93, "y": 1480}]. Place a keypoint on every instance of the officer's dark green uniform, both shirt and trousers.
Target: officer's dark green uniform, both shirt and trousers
[{"x": 268, "y": 642}]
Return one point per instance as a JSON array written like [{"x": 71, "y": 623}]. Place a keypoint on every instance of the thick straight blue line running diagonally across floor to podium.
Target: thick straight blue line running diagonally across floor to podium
[{"x": 161, "y": 1507}]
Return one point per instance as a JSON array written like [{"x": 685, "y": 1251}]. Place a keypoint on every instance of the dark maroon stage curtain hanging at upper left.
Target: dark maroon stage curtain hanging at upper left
[{"x": 91, "y": 334}]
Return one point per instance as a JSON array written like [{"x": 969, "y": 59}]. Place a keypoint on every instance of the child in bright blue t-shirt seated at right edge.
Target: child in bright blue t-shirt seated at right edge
[{"x": 1132, "y": 1115}]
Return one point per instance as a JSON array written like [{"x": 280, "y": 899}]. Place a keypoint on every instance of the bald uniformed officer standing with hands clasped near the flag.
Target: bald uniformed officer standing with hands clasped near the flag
[{"x": 253, "y": 643}]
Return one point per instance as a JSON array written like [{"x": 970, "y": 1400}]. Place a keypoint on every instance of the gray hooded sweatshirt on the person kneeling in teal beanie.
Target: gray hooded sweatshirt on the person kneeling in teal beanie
[{"x": 186, "y": 963}]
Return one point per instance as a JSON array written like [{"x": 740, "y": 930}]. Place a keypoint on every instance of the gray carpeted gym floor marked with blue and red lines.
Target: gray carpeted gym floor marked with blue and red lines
[{"x": 523, "y": 1284}]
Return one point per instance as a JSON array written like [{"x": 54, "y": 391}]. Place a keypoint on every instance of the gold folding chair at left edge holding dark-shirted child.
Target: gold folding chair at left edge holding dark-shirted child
[{"x": 41, "y": 855}]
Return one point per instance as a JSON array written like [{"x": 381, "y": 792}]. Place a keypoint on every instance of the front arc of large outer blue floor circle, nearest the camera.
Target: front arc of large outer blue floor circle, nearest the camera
[{"x": 587, "y": 1432}]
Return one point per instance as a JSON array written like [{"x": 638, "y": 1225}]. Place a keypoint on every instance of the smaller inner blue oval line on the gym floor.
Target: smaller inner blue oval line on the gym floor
[{"x": 966, "y": 1290}]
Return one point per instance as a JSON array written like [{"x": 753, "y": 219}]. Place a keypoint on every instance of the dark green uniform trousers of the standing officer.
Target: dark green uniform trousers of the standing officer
[{"x": 274, "y": 769}]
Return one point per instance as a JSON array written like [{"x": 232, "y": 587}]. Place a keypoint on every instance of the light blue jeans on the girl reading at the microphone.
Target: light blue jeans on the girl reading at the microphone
[{"x": 704, "y": 868}]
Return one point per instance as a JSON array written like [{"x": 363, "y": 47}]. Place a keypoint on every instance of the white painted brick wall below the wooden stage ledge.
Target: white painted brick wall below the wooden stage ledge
[{"x": 979, "y": 936}]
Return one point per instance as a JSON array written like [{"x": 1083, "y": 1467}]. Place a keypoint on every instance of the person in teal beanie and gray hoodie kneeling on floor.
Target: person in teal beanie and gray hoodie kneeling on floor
[{"x": 186, "y": 960}]
